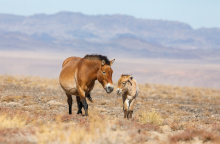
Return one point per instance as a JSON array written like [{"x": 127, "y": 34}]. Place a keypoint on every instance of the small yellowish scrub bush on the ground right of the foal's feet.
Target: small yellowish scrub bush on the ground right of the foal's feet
[{"x": 151, "y": 117}]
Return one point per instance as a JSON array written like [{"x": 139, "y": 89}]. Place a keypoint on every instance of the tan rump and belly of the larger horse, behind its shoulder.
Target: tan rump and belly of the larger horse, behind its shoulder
[{"x": 67, "y": 74}]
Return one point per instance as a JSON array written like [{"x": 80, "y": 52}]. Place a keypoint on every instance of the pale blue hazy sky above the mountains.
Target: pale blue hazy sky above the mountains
[{"x": 197, "y": 13}]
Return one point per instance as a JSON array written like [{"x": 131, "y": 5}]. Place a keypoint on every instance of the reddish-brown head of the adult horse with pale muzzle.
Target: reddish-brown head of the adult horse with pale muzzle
[{"x": 104, "y": 76}]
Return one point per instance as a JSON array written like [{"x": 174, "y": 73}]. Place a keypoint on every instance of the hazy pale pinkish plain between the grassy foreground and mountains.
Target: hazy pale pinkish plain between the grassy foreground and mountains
[{"x": 180, "y": 72}]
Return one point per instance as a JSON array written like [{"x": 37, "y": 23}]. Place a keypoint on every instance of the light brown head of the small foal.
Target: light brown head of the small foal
[{"x": 123, "y": 83}]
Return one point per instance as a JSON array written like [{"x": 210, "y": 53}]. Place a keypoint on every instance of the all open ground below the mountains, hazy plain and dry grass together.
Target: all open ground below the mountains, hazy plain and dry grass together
[{"x": 34, "y": 109}]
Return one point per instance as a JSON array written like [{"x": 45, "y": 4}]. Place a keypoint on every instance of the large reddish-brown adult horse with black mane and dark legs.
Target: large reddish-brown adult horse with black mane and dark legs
[{"x": 78, "y": 77}]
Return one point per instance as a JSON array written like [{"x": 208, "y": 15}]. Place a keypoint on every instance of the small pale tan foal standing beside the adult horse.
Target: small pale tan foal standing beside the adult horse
[{"x": 128, "y": 87}]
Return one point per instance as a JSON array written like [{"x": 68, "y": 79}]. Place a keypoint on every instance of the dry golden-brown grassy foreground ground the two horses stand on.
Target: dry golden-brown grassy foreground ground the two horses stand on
[{"x": 34, "y": 110}]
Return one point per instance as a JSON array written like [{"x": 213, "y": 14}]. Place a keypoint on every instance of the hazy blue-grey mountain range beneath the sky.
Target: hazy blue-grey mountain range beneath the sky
[{"x": 114, "y": 34}]
